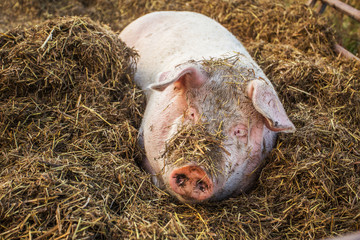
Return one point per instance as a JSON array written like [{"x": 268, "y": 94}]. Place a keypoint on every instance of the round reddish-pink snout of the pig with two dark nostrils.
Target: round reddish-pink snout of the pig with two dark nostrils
[{"x": 191, "y": 183}]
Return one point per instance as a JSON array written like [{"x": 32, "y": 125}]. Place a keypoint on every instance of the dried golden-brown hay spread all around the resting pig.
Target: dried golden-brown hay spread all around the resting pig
[{"x": 67, "y": 167}]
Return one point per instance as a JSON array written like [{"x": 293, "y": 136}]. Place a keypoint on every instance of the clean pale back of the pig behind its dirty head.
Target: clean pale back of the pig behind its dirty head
[{"x": 167, "y": 39}]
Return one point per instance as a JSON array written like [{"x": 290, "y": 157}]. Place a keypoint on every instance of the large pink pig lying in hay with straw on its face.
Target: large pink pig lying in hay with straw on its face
[{"x": 182, "y": 87}]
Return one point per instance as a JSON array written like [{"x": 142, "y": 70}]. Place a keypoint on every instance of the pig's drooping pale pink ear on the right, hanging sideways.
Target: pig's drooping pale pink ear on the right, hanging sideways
[{"x": 266, "y": 102}]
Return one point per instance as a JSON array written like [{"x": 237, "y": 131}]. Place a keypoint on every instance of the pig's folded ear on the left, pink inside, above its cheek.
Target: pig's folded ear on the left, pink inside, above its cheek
[{"x": 189, "y": 77}]
